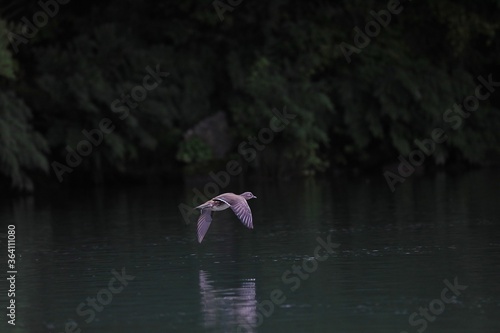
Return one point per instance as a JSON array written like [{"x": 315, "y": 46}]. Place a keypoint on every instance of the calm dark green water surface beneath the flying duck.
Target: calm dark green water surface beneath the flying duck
[{"x": 392, "y": 254}]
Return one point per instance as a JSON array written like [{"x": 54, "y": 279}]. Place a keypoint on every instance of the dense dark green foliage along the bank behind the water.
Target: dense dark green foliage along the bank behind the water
[{"x": 361, "y": 95}]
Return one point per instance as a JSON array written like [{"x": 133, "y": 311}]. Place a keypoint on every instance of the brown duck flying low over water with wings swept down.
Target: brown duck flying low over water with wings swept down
[{"x": 238, "y": 204}]
